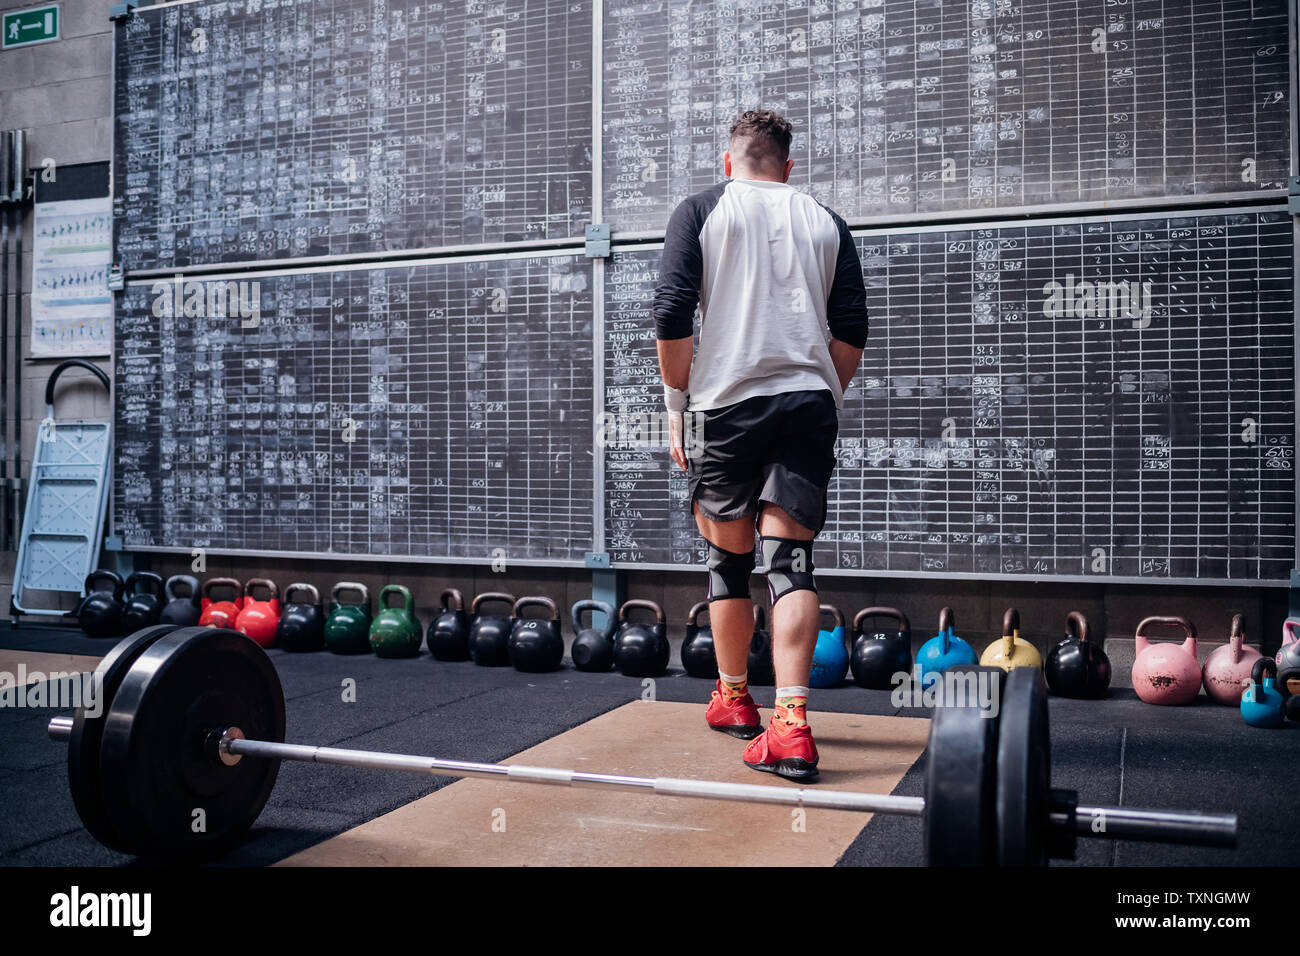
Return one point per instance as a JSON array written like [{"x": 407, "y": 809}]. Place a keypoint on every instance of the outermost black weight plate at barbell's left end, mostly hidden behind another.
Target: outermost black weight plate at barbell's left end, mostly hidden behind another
[{"x": 88, "y": 732}]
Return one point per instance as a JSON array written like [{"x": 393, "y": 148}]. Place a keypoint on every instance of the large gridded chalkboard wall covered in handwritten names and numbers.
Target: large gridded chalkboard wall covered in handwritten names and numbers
[{"x": 1090, "y": 391}]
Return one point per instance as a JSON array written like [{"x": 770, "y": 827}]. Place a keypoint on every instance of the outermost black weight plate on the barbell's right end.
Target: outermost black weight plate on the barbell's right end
[{"x": 1024, "y": 772}]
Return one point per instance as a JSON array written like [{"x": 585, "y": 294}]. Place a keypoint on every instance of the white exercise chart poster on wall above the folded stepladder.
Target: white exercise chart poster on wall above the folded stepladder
[{"x": 72, "y": 310}]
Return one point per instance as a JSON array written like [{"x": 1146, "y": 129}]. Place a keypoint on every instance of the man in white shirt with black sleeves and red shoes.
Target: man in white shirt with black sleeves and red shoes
[{"x": 783, "y": 323}]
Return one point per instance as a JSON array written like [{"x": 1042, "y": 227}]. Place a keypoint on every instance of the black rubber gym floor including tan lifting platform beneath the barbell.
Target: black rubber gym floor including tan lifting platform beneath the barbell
[{"x": 1117, "y": 751}]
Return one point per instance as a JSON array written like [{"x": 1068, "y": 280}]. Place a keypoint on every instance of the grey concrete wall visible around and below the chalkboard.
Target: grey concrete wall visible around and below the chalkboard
[{"x": 62, "y": 93}]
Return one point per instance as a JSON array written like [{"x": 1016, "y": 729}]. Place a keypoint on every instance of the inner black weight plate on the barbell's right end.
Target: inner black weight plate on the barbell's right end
[{"x": 960, "y": 825}]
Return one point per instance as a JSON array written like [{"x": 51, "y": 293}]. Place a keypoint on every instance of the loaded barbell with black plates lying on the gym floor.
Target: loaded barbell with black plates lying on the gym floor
[{"x": 185, "y": 750}]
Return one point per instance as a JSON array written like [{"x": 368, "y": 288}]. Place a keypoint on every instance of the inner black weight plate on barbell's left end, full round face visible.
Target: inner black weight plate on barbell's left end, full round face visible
[{"x": 155, "y": 767}]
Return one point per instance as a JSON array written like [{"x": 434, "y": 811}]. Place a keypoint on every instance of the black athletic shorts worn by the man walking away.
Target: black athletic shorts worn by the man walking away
[{"x": 769, "y": 448}]
